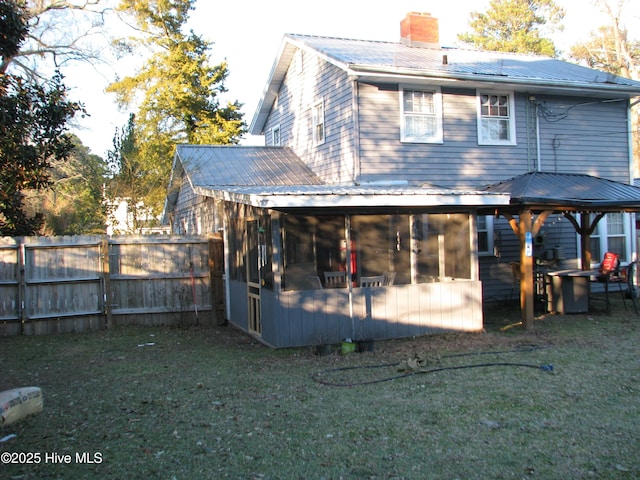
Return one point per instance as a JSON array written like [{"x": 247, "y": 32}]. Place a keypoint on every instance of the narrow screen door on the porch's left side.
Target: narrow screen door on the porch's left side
[{"x": 255, "y": 261}]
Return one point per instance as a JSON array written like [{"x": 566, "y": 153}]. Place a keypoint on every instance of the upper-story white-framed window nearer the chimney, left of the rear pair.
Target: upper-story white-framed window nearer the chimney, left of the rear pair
[{"x": 421, "y": 115}]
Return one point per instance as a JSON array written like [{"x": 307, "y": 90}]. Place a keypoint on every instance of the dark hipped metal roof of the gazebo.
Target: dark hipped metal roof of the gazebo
[{"x": 570, "y": 191}]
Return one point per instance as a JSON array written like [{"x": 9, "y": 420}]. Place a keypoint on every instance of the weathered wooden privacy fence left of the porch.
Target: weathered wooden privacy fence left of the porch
[{"x": 62, "y": 284}]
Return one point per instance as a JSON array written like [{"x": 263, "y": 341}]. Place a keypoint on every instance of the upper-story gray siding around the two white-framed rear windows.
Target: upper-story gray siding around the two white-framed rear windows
[{"x": 576, "y": 135}]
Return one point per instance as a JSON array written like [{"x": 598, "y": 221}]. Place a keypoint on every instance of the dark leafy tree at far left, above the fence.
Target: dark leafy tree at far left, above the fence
[{"x": 33, "y": 122}]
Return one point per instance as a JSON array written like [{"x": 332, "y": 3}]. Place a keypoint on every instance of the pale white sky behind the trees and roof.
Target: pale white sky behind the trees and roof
[{"x": 248, "y": 33}]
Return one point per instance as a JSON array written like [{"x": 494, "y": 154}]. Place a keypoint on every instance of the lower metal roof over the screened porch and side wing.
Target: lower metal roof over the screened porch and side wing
[{"x": 274, "y": 177}]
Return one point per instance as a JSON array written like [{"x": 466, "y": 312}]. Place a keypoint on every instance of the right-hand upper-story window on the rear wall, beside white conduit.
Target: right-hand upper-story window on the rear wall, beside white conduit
[{"x": 496, "y": 120}]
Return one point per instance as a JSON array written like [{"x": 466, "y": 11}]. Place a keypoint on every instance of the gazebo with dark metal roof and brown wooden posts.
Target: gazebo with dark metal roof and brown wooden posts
[{"x": 536, "y": 195}]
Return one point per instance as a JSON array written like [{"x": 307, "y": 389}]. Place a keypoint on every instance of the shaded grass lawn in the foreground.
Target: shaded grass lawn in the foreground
[{"x": 159, "y": 403}]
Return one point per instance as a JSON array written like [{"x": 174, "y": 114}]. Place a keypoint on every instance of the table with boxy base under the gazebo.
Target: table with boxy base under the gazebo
[{"x": 568, "y": 290}]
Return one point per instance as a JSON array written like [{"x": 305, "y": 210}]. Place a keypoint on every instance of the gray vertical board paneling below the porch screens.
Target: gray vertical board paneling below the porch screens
[{"x": 312, "y": 317}]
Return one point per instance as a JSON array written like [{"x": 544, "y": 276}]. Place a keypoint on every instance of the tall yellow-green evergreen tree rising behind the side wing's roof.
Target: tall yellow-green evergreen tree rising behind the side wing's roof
[{"x": 176, "y": 92}]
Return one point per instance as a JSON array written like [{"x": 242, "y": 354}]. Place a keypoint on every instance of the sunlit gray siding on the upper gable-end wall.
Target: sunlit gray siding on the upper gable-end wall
[{"x": 304, "y": 85}]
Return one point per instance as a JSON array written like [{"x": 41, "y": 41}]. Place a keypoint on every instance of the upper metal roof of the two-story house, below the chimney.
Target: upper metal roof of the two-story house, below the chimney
[{"x": 395, "y": 62}]
